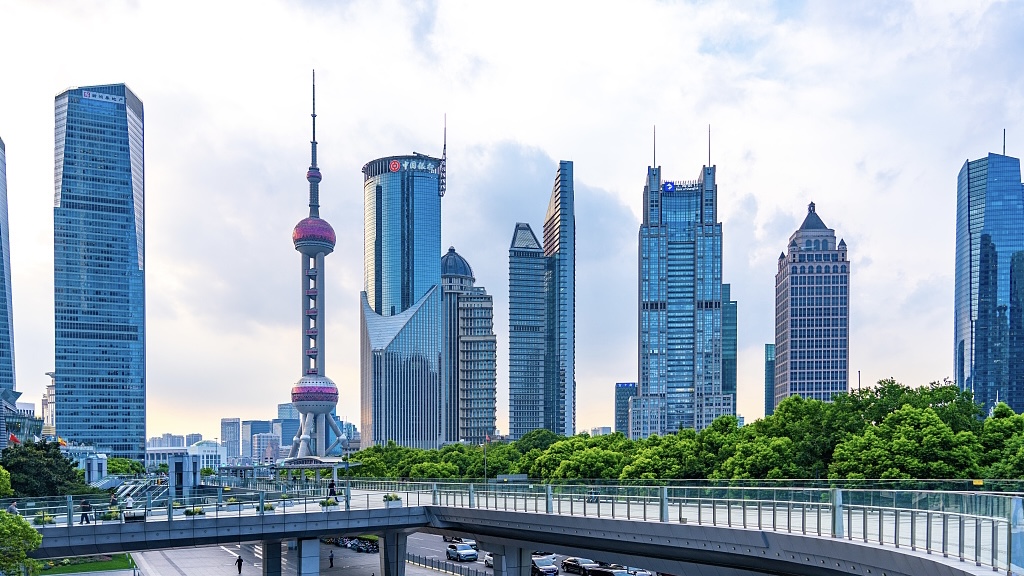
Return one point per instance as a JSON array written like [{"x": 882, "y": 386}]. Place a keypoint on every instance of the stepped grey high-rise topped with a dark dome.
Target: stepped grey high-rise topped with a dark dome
[{"x": 470, "y": 354}]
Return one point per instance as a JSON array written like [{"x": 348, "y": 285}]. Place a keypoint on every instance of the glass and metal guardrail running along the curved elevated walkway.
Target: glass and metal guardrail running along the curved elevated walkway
[{"x": 968, "y": 526}]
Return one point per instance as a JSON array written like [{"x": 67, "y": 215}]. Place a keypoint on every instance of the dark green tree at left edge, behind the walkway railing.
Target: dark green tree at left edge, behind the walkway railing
[{"x": 40, "y": 470}]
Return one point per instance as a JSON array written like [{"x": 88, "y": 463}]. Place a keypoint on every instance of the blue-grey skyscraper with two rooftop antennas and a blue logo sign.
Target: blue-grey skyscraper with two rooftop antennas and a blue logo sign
[{"x": 688, "y": 321}]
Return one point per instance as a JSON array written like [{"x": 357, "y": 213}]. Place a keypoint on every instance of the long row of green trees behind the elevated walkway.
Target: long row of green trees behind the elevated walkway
[{"x": 888, "y": 432}]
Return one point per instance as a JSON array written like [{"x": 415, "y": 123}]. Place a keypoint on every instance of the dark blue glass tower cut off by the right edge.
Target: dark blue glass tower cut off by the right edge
[{"x": 989, "y": 308}]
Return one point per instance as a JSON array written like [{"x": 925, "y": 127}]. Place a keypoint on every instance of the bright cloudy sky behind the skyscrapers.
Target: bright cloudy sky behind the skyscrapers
[{"x": 868, "y": 109}]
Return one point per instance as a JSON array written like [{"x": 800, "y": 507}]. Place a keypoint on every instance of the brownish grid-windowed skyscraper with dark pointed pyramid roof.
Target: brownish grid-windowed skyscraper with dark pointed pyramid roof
[{"x": 813, "y": 310}]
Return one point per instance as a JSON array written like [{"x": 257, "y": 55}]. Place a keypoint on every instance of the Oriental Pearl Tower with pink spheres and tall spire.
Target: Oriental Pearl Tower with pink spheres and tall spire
[{"x": 315, "y": 396}]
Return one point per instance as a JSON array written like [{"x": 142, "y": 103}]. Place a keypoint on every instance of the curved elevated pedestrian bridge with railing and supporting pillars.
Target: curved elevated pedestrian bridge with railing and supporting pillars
[{"x": 679, "y": 530}]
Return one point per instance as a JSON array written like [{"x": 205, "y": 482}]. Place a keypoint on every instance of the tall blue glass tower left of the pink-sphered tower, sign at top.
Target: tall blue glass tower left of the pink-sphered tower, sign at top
[{"x": 100, "y": 270}]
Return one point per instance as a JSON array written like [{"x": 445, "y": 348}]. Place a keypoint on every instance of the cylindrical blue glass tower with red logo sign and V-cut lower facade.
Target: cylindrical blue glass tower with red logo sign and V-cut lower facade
[{"x": 401, "y": 312}]
